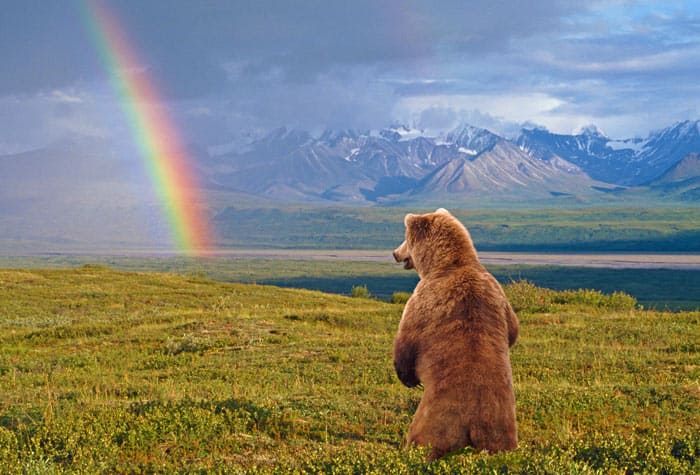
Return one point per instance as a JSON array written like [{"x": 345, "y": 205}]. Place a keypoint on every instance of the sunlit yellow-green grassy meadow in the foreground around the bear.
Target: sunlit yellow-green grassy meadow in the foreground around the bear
[{"x": 104, "y": 371}]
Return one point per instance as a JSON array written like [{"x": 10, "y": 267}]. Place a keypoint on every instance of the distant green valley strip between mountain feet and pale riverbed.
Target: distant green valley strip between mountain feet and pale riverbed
[{"x": 603, "y": 229}]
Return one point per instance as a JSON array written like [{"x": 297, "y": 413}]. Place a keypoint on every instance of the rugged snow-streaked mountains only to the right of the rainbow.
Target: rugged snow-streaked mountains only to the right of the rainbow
[{"x": 400, "y": 164}]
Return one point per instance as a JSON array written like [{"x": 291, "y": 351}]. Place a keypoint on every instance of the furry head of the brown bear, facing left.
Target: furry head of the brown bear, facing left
[{"x": 434, "y": 242}]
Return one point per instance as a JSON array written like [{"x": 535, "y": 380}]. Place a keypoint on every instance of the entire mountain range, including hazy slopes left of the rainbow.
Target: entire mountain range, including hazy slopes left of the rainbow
[{"x": 90, "y": 192}]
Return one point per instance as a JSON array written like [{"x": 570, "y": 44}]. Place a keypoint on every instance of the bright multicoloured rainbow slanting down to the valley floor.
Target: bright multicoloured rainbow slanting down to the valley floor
[{"x": 169, "y": 166}]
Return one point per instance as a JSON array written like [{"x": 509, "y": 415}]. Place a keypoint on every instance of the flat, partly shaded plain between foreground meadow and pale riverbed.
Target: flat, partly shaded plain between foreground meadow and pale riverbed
[{"x": 661, "y": 289}]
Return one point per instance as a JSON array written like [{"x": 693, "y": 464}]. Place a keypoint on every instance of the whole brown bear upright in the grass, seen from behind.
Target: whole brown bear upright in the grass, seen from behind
[{"x": 454, "y": 339}]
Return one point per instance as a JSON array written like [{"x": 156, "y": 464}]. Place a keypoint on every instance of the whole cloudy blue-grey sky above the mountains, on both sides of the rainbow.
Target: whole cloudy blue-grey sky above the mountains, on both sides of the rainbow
[{"x": 227, "y": 68}]
